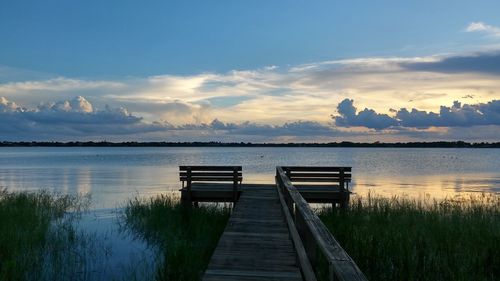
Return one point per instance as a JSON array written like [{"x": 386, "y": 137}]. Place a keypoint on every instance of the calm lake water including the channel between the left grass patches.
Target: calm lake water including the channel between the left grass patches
[{"x": 114, "y": 175}]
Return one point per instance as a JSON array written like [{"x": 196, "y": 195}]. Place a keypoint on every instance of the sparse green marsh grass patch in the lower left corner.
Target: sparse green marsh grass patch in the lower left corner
[{"x": 37, "y": 239}]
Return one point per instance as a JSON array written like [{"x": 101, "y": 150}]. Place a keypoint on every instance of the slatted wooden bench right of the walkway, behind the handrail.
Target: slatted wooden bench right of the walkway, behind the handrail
[{"x": 321, "y": 184}]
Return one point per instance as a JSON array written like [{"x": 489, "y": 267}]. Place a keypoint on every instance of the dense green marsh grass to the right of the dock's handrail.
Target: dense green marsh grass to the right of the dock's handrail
[{"x": 401, "y": 238}]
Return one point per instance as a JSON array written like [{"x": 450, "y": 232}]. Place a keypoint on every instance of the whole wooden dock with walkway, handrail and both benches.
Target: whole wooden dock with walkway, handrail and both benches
[{"x": 272, "y": 233}]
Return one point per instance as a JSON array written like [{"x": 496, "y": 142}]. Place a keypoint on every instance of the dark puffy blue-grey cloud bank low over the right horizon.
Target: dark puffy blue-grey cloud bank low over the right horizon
[{"x": 457, "y": 115}]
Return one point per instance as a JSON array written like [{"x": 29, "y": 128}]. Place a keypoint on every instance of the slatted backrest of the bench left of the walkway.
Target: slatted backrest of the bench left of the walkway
[{"x": 210, "y": 173}]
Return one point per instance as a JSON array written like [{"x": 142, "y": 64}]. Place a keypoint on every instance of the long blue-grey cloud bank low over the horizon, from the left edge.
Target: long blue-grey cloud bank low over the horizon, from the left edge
[{"x": 79, "y": 118}]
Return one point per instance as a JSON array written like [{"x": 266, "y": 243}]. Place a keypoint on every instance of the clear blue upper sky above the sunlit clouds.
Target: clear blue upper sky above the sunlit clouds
[{"x": 120, "y": 38}]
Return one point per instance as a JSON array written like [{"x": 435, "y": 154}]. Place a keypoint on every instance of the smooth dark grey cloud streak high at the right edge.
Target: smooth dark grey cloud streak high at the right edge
[{"x": 488, "y": 63}]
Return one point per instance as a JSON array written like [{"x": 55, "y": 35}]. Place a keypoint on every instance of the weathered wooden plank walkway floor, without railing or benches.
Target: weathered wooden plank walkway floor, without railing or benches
[{"x": 256, "y": 244}]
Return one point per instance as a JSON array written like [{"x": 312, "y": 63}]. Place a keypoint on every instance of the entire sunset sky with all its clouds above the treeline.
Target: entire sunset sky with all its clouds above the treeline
[{"x": 260, "y": 71}]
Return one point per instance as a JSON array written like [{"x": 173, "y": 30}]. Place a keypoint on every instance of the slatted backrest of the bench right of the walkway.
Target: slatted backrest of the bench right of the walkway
[{"x": 317, "y": 174}]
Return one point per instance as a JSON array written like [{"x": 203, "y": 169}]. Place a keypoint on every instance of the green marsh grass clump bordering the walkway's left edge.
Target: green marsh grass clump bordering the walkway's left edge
[{"x": 186, "y": 237}]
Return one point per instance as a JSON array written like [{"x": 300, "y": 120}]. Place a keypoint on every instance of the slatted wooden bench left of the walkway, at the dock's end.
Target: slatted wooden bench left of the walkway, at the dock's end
[{"x": 210, "y": 183}]
